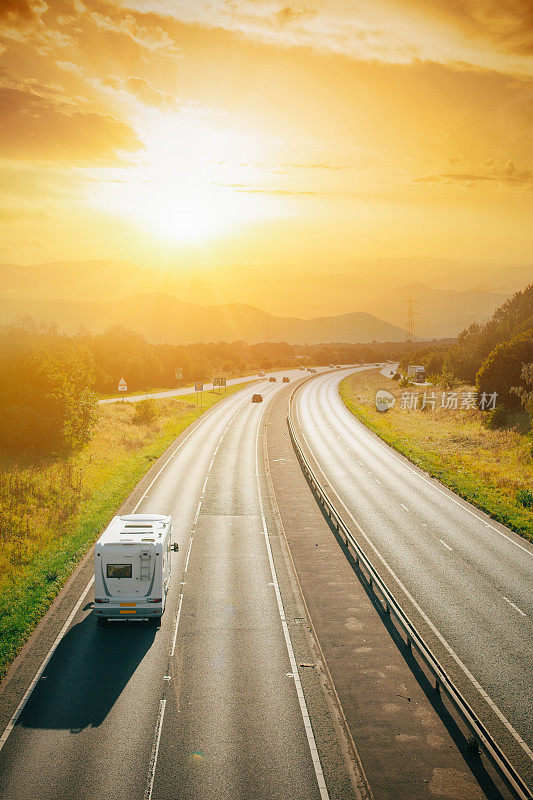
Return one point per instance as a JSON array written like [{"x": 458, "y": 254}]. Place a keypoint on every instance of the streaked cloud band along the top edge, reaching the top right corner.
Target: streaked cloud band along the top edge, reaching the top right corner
[{"x": 491, "y": 34}]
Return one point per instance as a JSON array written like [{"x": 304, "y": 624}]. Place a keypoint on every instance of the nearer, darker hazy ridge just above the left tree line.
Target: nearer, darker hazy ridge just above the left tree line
[{"x": 163, "y": 318}]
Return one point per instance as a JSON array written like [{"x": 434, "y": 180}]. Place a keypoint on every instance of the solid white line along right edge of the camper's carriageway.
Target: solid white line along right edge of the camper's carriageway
[{"x": 294, "y": 667}]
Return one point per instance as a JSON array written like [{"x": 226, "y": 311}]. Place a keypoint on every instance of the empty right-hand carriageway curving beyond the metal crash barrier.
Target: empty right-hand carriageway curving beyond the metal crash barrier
[{"x": 465, "y": 580}]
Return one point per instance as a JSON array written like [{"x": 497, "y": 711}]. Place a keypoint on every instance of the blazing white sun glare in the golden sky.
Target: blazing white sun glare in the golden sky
[{"x": 190, "y": 183}]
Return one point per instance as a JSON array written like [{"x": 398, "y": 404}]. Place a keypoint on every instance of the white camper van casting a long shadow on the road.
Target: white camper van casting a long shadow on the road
[{"x": 132, "y": 567}]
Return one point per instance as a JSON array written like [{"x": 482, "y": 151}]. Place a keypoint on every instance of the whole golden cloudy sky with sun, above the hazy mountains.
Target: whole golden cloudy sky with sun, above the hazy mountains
[{"x": 299, "y": 136}]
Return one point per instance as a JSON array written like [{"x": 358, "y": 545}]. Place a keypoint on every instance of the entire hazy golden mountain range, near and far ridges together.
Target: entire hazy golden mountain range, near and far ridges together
[{"x": 365, "y": 305}]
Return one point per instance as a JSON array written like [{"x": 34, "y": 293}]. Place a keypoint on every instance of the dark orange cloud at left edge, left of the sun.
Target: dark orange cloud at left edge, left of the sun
[{"x": 41, "y": 128}]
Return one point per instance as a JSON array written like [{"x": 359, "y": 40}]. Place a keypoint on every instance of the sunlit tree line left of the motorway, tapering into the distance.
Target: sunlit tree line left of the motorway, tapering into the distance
[{"x": 49, "y": 381}]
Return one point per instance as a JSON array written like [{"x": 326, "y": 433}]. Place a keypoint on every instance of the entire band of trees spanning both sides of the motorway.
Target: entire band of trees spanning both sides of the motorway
[{"x": 49, "y": 381}]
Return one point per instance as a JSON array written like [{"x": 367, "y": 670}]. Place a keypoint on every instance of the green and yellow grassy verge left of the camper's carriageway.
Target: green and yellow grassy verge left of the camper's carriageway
[{"x": 53, "y": 511}]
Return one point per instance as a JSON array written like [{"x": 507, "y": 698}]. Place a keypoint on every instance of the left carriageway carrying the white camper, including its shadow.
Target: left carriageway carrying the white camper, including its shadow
[{"x": 210, "y": 704}]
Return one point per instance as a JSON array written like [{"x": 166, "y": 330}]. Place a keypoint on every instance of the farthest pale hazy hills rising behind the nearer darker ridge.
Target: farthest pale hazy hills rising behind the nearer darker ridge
[{"x": 377, "y": 287}]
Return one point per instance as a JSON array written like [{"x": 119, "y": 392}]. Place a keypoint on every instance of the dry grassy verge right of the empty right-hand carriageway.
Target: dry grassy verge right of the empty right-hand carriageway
[{"x": 492, "y": 469}]
